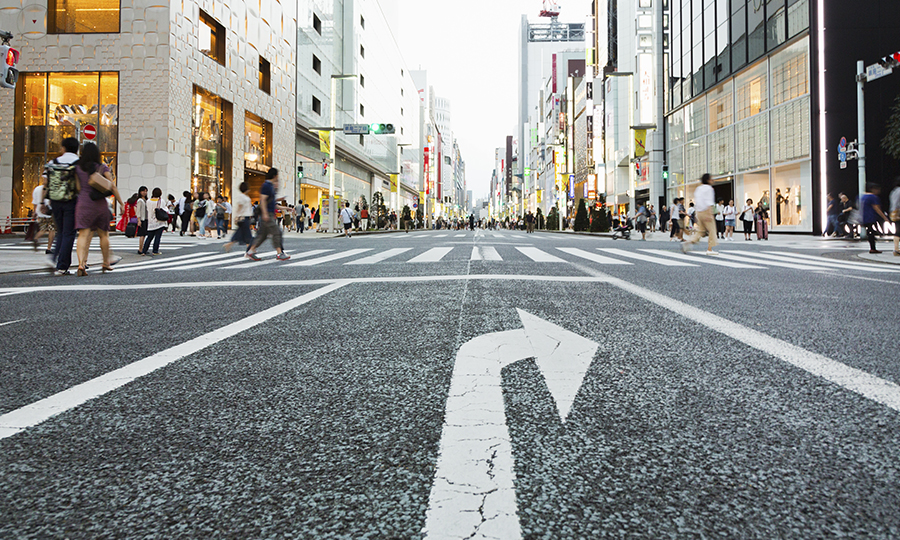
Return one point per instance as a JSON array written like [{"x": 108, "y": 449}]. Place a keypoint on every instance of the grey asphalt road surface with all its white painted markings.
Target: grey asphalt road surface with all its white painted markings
[{"x": 454, "y": 385}]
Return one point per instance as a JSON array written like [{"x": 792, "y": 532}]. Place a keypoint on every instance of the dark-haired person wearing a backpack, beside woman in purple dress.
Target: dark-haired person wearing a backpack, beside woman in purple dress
[{"x": 62, "y": 189}]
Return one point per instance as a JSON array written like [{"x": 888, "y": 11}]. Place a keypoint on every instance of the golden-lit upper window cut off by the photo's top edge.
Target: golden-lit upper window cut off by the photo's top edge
[{"x": 82, "y": 16}]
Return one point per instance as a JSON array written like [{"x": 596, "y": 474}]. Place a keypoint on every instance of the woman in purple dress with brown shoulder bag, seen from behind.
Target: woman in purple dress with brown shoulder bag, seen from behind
[{"x": 91, "y": 209}]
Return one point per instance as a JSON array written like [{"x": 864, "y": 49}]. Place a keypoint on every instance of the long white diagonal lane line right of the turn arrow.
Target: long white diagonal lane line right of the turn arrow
[{"x": 875, "y": 388}]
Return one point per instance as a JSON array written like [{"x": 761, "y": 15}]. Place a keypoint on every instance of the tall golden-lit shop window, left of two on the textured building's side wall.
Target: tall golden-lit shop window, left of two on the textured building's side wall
[{"x": 211, "y": 144}]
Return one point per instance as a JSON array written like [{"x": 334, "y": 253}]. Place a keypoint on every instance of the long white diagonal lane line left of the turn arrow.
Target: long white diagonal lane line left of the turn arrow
[{"x": 31, "y": 415}]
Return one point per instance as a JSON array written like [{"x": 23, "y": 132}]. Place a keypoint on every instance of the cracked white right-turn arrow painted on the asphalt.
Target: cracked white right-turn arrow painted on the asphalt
[{"x": 473, "y": 495}]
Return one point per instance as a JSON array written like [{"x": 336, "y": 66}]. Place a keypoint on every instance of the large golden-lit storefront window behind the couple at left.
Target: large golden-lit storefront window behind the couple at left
[{"x": 53, "y": 106}]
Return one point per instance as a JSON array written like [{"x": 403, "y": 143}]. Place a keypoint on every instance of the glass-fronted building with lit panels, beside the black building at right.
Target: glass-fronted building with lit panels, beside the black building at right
[{"x": 740, "y": 105}]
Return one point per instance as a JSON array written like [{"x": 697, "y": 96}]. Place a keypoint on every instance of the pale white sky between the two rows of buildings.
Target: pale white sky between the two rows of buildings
[{"x": 470, "y": 50}]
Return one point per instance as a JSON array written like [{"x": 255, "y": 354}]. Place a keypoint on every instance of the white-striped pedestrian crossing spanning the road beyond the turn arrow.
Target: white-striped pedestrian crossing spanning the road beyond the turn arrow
[{"x": 675, "y": 261}]
